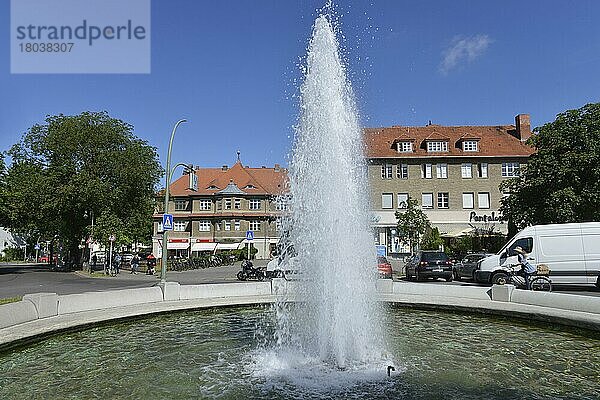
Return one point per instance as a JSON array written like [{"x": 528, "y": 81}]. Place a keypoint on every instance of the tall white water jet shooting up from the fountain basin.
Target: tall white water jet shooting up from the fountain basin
[{"x": 335, "y": 321}]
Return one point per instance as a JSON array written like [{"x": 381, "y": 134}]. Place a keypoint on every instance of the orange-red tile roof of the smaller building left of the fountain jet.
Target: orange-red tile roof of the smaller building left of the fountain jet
[{"x": 259, "y": 181}]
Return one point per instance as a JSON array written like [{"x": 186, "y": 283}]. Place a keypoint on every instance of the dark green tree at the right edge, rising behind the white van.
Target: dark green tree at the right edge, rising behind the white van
[{"x": 561, "y": 182}]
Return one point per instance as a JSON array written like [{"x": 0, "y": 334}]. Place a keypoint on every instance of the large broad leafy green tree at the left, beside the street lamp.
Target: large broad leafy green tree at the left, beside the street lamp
[{"x": 71, "y": 168}]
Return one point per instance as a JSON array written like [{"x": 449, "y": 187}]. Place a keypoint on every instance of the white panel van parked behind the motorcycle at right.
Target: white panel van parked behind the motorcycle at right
[{"x": 571, "y": 252}]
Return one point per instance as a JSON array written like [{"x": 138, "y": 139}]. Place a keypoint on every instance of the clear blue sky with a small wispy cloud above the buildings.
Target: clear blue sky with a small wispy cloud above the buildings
[{"x": 231, "y": 68}]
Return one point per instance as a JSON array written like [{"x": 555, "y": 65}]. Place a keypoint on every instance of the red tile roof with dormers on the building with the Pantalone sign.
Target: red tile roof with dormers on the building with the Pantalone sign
[{"x": 493, "y": 141}]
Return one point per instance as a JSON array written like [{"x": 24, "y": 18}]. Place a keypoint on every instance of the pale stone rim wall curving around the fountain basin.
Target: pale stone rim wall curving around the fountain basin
[{"x": 42, "y": 314}]
